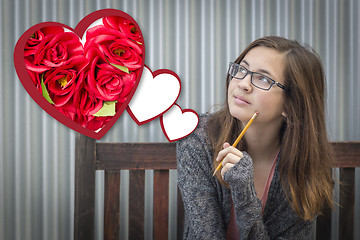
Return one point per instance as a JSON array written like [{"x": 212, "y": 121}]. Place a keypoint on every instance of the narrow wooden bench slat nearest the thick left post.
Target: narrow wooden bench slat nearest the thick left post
[{"x": 112, "y": 206}]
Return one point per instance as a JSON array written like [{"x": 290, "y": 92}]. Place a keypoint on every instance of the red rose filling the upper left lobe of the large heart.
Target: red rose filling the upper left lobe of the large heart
[{"x": 54, "y": 51}]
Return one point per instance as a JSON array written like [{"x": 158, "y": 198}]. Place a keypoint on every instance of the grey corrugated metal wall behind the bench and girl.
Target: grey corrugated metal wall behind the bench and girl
[{"x": 195, "y": 39}]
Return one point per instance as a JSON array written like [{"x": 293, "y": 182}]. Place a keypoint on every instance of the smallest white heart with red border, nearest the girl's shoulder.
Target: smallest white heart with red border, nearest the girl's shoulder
[{"x": 177, "y": 123}]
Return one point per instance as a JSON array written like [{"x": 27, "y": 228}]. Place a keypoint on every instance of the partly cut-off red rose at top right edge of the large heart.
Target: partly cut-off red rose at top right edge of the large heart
[{"x": 125, "y": 26}]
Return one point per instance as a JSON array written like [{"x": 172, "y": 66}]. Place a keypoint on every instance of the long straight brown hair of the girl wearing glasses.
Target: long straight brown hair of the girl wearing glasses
[{"x": 306, "y": 157}]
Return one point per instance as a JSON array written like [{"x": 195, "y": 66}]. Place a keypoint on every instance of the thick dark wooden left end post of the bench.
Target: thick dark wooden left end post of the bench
[{"x": 84, "y": 188}]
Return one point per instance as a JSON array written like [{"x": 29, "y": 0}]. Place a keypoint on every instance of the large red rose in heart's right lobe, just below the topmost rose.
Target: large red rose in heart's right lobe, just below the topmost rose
[{"x": 115, "y": 47}]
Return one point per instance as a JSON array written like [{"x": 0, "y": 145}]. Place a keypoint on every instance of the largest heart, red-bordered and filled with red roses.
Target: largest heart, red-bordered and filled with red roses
[{"x": 89, "y": 67}]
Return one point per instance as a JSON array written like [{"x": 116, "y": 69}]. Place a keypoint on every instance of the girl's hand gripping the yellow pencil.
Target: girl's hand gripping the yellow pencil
[{"x": 230, "y": 155}]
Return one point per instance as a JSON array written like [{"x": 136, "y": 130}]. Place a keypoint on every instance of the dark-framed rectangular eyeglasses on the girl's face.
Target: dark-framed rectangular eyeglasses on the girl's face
[{"x": 257, "y": 79}]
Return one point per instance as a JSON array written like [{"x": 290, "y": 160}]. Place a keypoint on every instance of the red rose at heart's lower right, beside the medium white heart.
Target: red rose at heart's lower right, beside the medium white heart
[{"x": 107, "y": 82}]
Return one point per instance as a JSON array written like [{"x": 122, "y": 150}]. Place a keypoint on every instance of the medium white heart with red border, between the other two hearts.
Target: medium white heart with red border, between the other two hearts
[{"x": 155, "y": 94}]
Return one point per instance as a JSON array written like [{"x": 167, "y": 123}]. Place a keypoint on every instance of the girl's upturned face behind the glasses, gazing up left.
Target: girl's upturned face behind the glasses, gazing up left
[{"x": 244, "y": 98}]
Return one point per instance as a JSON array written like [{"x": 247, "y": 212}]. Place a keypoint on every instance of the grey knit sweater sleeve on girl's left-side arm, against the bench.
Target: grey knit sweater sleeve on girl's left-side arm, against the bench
[{"x": 203, "y": 213}]
